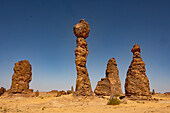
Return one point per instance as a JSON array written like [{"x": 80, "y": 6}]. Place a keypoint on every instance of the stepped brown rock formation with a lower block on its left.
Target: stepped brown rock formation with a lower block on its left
[{"x": 110, "y": 85}]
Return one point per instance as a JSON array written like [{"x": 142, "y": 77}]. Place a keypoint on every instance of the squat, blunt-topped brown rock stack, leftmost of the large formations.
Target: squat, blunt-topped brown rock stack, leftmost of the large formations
[{"x": 20, "y": 79}]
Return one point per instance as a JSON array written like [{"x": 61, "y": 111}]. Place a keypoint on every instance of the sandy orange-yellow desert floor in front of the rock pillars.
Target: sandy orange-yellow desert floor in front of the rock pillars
[{"x": 49, "y": 103}]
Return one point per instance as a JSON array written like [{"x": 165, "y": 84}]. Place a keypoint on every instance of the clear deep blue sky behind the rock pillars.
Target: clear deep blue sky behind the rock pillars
[{"x": 41, "y": 31}]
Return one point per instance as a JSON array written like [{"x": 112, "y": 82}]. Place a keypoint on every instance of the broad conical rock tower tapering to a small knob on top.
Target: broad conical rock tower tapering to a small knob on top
[{"x": 137, "y": 83}]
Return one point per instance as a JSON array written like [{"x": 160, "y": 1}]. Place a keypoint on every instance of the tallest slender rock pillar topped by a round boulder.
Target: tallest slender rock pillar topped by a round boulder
[{"x": 83, "y": 85}]
